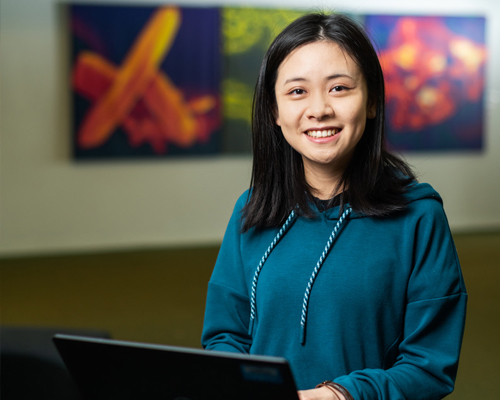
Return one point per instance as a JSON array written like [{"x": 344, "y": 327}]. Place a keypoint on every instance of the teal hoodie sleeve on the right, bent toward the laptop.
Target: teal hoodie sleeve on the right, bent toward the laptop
[{"x": 429, "y": 347}]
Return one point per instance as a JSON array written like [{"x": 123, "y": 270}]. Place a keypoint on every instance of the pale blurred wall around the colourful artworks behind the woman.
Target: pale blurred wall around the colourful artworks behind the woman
[{"x": 50, "y": 204}]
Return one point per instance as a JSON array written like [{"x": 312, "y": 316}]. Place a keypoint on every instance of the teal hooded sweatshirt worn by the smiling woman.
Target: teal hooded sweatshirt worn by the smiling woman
[{"x": 375, "y": 304}]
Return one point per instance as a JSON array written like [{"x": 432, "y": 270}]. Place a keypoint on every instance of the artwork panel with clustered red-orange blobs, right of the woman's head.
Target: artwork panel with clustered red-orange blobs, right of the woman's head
[{"x": 434, "y": 69}]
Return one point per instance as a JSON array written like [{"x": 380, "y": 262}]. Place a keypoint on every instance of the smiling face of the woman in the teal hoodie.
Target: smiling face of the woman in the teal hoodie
[{"x": 322, "y": 105}]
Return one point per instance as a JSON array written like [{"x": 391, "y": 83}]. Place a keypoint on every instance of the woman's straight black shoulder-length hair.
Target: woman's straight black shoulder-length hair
[{"x": 374, "y": 180}]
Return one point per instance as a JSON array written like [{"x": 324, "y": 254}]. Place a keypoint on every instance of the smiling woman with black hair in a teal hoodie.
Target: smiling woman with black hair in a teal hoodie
[{"x": 336, "y": 258}]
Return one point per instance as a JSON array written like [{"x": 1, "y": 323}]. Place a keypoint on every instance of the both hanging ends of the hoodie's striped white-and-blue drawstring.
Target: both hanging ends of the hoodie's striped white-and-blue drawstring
[{"x": 291, "y": 218}]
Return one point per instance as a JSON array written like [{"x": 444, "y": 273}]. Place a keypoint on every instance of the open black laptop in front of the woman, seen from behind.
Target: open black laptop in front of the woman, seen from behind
[{"x": 106, "y": 369}]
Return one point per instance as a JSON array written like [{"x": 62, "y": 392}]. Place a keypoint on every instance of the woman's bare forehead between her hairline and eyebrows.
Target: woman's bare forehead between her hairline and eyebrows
[{"x": 318, "y": 57}]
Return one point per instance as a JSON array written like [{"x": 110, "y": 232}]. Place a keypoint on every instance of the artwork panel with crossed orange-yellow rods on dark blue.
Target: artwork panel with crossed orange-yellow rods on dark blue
[{"x": 145, "y": 81}]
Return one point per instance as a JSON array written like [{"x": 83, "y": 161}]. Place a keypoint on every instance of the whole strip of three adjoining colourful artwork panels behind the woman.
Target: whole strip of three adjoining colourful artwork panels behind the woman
[{"x": 162, "y": 81}]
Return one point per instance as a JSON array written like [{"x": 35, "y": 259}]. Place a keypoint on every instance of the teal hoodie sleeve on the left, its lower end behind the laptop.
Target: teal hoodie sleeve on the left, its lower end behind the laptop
[{"x": 227, "y": 308}]
